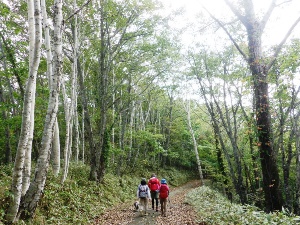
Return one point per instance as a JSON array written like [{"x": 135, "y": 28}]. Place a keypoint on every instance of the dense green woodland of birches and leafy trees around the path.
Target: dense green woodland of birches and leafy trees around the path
[{"x": 110, "y": 84}]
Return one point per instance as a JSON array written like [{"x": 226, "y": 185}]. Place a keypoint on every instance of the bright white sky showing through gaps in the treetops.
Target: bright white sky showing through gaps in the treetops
[{"x": 194, "y": 21}]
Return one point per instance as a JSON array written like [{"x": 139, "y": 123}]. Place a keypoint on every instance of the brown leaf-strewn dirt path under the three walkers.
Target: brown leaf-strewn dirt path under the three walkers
[{"x": 178, "y": 211}]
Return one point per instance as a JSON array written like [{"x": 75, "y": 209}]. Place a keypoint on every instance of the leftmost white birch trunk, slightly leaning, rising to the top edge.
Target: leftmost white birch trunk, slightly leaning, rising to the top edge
[{"x": 22, "y": 156}]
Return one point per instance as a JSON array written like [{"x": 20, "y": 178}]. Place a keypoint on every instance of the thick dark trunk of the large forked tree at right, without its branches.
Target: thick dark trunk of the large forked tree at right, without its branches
[{"x": 273, "y": 197}]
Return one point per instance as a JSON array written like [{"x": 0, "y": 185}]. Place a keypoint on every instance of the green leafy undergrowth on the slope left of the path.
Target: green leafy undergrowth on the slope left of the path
[{"x": 80, "y": 201}]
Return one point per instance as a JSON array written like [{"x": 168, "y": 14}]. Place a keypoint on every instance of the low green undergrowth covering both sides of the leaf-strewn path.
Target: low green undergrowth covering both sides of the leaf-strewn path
[{"x": 80, "y": 201}]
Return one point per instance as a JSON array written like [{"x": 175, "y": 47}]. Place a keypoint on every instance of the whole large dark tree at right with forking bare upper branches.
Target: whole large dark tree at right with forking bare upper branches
[{"x": 260, "y": 67}]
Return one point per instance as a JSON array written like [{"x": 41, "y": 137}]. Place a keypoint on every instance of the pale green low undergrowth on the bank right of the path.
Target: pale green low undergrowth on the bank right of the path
[{"x": 213, "y": 208}]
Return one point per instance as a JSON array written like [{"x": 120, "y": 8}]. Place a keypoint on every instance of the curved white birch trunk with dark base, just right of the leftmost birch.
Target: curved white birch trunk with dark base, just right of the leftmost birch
[{"x": 33, "y": 195}]
